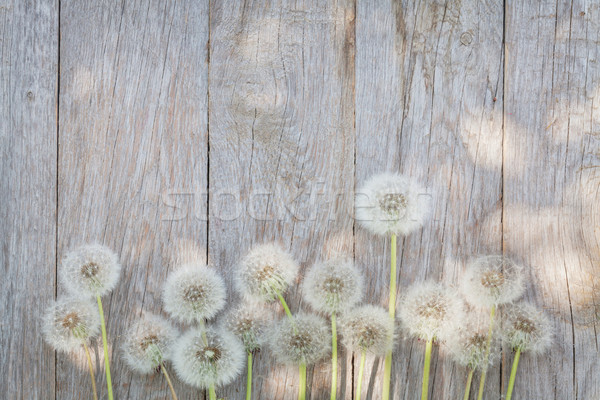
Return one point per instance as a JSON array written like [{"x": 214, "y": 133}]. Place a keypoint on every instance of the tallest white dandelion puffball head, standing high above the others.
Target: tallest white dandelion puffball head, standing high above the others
[{"x": 392, "y": 203}]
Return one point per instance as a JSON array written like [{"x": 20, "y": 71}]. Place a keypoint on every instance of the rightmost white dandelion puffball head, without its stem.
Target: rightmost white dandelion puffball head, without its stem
[{"x": 527, "y": 328}]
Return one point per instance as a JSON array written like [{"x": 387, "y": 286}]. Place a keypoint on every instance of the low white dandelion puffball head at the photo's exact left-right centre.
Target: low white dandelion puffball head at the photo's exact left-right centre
[{"x": 305, "y": 339}]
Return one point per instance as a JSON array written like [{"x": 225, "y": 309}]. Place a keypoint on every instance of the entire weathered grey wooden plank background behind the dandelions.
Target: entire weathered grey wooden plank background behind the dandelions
[{"x": 151, "y": 125}]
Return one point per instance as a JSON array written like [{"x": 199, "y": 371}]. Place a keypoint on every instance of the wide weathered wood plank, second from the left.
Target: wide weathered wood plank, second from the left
[{"x": 133, "y": 153}]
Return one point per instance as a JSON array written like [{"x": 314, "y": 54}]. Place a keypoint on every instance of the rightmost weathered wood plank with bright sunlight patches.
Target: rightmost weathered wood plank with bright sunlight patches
[{"x": 552, "y": 154}]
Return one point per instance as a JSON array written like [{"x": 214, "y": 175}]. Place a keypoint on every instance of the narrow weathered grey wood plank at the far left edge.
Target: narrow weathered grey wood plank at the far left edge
[{"x": 28, "y": 104}]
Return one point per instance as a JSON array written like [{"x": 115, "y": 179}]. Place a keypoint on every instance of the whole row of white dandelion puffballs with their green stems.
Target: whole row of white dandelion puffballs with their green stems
[{"x": 213, "y": 349}]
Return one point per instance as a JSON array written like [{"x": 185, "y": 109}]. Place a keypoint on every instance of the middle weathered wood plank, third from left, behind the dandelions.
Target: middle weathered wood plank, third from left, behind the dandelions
[{"x": 282, "y": 141}]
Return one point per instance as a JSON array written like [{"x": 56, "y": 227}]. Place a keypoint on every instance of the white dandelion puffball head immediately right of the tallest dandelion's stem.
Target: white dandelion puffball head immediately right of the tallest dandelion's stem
[{"x": 430, "y": 311}]
